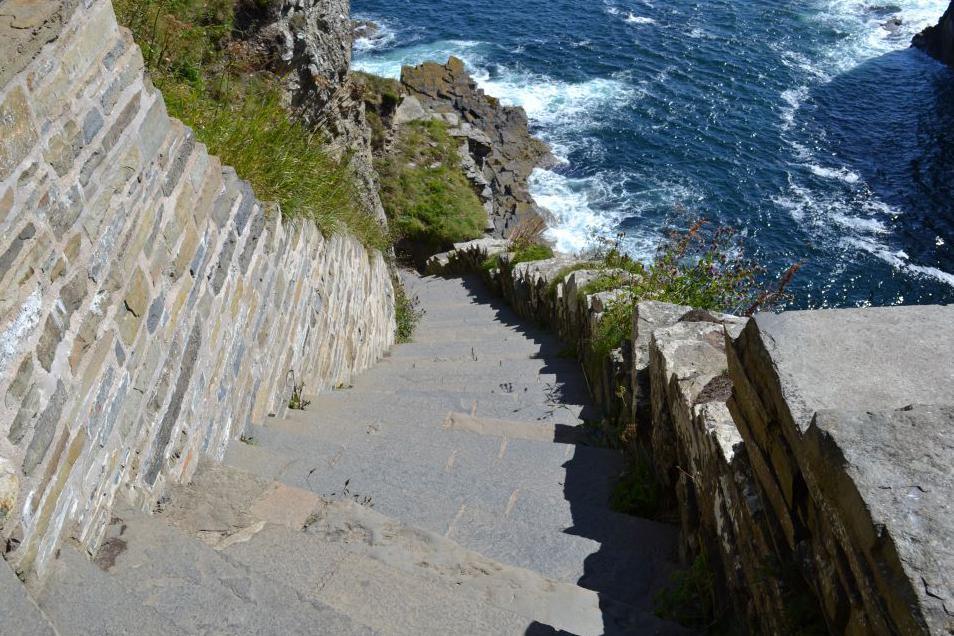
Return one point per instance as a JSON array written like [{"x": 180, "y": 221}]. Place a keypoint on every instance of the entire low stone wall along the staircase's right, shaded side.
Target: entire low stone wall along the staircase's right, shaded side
[{"x": 808, "y": 454}]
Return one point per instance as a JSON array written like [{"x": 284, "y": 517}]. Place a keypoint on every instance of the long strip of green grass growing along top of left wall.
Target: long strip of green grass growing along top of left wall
[{"x": 223, "y": 91}]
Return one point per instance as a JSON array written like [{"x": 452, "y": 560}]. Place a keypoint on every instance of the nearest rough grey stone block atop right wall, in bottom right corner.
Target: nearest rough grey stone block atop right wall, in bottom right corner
[{"x": 884, "y": 479}]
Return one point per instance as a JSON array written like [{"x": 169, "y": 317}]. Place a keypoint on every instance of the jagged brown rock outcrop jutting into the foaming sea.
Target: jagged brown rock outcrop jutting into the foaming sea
[{"x": 501, "y": 152}]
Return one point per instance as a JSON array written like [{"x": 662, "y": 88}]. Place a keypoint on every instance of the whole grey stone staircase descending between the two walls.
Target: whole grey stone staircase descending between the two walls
[{"x": 451, "y": 490}]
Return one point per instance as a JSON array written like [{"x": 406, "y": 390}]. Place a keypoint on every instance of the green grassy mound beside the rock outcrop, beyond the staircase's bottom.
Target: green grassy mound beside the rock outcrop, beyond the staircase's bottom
[{"x": 429, "y": 202}]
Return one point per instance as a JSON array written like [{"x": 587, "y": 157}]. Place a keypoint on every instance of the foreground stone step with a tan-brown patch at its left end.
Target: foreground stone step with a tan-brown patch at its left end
[{"x": 396, "y": 578}]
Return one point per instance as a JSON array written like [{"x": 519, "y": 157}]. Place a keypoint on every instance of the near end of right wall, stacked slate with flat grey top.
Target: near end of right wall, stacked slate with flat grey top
[{"x": 847, "y": 418}]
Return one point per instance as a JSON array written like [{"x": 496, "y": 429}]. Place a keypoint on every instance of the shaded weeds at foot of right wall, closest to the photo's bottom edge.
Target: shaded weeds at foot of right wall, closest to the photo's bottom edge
[{"x": 689, "y": 599}]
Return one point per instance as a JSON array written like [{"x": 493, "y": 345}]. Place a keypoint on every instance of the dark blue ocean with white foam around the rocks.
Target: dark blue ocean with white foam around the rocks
[{"x": 810, "y": 126}]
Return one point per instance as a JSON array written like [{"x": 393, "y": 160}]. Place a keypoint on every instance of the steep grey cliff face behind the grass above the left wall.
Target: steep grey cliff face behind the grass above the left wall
[{"x": 308, "y": 42}]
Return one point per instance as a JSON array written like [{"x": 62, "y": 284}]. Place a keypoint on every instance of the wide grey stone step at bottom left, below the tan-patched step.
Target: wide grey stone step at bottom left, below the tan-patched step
[{"x": 152, "y": 578}]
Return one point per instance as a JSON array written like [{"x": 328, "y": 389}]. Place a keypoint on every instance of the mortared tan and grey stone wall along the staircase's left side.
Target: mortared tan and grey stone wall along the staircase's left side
[{"x": 150, "y": 306}]
